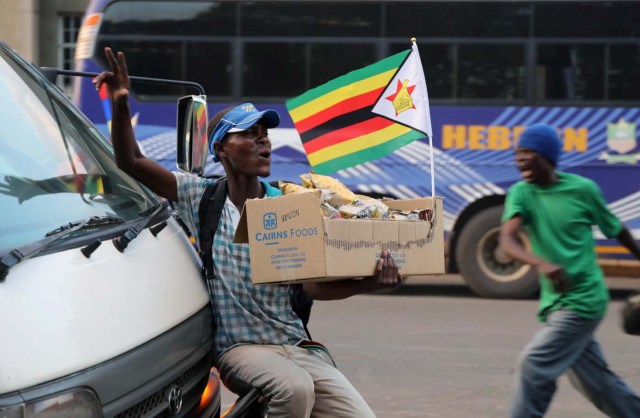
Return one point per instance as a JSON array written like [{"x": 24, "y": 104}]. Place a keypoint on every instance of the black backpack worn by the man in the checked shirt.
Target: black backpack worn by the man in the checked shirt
[{"x": 209, "y": 213}]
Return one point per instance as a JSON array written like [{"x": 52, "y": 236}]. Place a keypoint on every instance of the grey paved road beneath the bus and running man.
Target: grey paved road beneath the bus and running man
[{"x": 433, "y": 349}]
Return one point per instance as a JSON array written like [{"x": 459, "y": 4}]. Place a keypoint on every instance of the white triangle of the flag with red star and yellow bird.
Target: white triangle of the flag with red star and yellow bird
[{"x": 405, "y": 100}]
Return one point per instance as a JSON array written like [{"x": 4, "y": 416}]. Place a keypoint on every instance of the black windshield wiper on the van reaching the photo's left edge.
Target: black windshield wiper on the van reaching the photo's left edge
[{"x": 26, "y": 251}]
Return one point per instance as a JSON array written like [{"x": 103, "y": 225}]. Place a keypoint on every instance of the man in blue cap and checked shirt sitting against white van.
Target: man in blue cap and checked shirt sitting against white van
[{"x": 260, "y": 342}]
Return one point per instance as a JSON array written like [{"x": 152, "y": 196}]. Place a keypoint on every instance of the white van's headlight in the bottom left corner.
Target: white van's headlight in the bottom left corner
[{"x": 81, "y": 403}]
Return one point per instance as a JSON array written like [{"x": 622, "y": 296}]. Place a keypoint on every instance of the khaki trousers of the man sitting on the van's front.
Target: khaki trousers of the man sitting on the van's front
[{"x": 297, "y": 382}]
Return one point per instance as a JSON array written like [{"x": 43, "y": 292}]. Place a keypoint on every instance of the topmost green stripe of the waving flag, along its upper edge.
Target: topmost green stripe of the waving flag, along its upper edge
[{"x": 386, "y": 64}]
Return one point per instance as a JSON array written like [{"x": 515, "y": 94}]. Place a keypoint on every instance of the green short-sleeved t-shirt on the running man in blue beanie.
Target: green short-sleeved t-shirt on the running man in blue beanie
[{"x": 558, "y": 219}]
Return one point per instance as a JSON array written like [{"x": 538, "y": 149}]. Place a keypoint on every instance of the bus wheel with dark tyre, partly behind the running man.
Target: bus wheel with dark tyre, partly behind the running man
[{"x": 488, "y": 271}]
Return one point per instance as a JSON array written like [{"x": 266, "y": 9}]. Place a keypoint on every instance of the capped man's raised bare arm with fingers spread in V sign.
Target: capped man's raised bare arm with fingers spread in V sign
[{"x": 128, "y": 156}]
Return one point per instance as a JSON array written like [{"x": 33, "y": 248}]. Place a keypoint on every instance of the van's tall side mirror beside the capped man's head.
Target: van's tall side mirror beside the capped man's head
[{"x": 192, "y": 141}]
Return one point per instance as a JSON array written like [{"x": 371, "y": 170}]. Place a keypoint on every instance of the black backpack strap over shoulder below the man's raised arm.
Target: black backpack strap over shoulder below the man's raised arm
[{"x": 209, "y": 213}]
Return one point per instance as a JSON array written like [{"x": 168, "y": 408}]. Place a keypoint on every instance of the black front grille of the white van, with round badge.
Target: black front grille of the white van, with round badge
[{"x": 192, "y": 383}]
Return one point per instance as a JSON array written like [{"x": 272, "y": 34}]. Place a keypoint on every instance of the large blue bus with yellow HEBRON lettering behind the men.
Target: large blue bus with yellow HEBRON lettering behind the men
[{"x": 492, "y": 68}]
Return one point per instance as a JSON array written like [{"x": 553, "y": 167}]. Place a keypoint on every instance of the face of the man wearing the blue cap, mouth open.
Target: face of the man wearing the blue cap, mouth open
[{"x": 249, "y": 152}]
